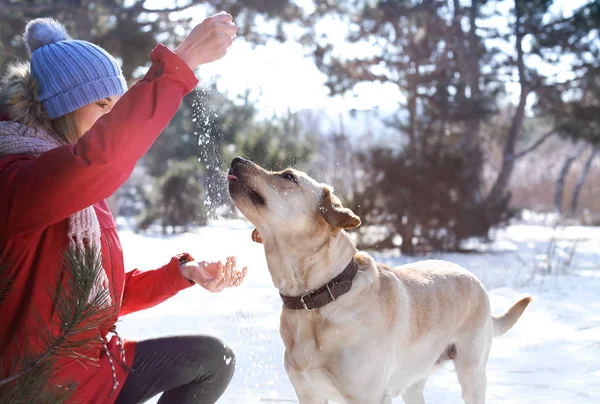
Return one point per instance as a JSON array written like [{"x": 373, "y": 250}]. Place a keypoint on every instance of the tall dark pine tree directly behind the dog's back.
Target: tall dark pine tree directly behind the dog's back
[{"x": 432, "y": 52}]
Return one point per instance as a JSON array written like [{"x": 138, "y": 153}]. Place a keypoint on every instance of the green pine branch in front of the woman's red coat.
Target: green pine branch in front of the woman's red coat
[{"x": 78, "y": 312}]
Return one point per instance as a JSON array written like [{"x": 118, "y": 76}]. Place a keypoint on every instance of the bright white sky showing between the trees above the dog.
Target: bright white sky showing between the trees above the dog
[{"x": 280, "y": 76}]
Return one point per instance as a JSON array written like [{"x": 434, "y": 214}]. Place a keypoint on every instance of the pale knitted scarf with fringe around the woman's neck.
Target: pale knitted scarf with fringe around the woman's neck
[{"x": 83, "y": 226}]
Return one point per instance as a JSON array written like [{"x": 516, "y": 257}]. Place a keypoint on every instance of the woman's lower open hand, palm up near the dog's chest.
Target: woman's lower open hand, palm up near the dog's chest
[{"x": 214, "y": 276}]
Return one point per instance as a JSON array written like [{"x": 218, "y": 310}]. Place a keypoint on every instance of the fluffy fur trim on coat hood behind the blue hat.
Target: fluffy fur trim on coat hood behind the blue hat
[{"x": 19, "y": 98}]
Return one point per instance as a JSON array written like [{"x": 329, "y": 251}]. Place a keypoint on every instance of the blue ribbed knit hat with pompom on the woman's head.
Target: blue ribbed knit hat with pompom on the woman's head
[{"x": 70, "y": 73}]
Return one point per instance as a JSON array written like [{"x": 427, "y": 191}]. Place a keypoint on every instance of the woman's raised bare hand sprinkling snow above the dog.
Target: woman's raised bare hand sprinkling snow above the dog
[{"x": 208, "y": 41}]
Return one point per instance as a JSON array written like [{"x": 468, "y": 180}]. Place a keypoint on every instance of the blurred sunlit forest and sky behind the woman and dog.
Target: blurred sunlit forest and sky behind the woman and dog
[{"x": 435, "y": 120}]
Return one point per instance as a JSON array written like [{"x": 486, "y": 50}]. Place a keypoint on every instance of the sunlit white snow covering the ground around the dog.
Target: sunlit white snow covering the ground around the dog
[{"x": 552, "y": 355}]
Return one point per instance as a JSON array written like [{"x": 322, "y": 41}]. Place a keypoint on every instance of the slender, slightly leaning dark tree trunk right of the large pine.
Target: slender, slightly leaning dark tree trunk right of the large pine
[{"x": 508, "y": 163}]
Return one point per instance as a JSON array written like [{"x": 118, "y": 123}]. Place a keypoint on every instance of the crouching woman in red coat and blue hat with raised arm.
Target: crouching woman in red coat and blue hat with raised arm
[{"x": 70, "y": 135}]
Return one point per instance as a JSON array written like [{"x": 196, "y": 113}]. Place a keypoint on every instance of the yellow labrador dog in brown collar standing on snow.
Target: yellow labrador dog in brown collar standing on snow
[{"x": 356, "y": 331}]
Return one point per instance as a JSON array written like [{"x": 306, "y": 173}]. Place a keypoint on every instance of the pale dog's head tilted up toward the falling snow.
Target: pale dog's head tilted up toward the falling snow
[{"x": 287, "y": 204}]
